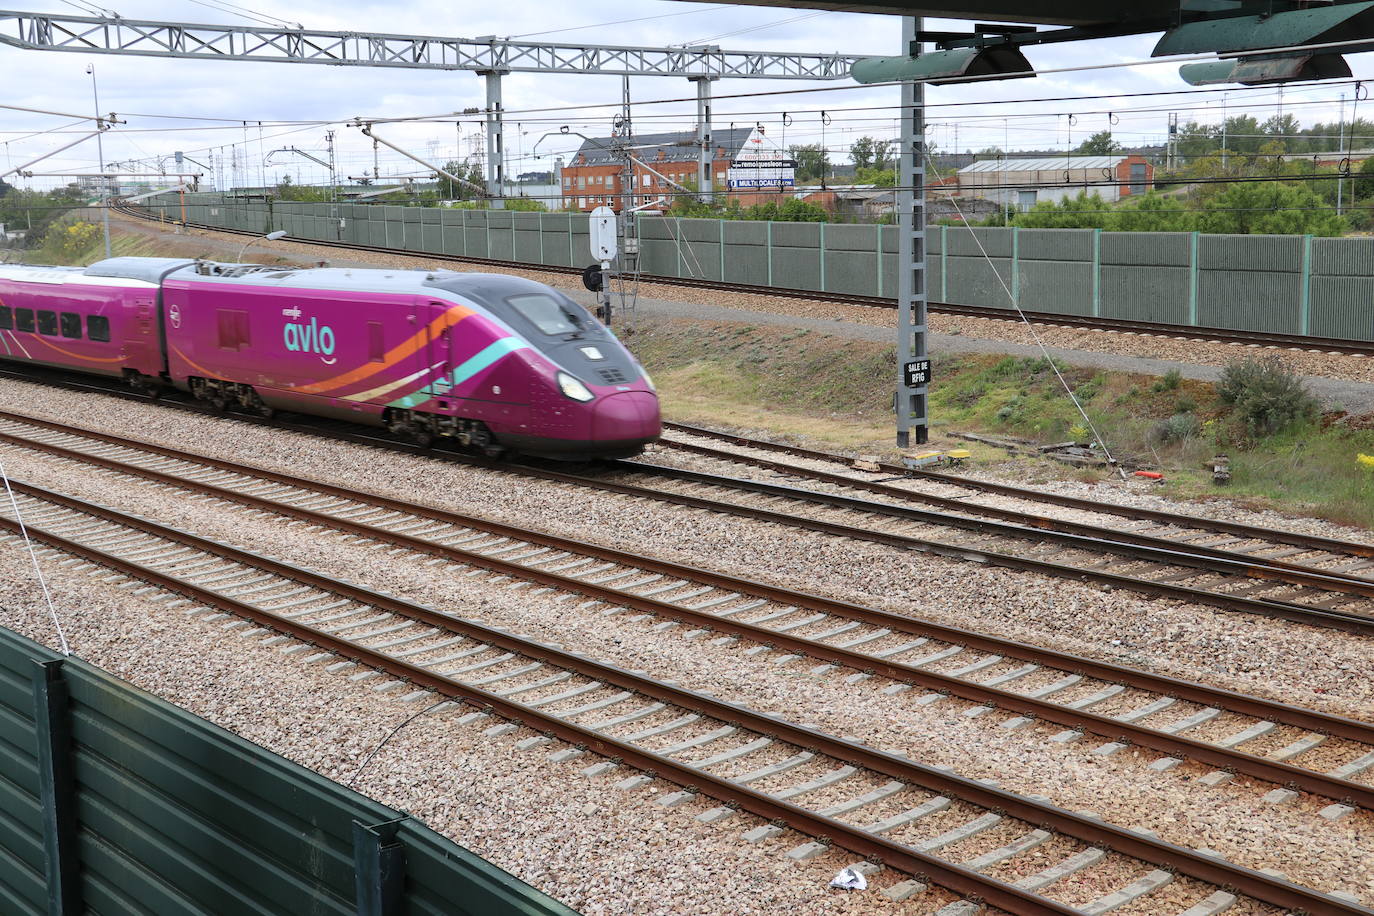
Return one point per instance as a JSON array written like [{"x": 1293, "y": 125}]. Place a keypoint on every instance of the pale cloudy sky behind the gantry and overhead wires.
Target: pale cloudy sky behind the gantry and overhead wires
[{"x": 245, "y": 112}]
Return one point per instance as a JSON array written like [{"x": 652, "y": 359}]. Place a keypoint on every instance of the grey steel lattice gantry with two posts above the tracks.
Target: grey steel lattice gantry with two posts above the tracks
[{"x": 490, "y": 57}]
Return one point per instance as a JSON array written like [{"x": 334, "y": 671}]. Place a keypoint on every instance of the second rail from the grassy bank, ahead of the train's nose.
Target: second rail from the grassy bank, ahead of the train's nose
[{"x": 1364, "y": 586}]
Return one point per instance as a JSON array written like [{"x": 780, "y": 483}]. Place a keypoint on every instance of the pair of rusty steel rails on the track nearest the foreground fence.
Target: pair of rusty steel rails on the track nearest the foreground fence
[{"x": 1218, "y": 873}]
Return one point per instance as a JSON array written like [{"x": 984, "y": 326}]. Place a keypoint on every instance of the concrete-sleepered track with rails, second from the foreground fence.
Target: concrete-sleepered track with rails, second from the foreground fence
[{"x": 864, "y": 641}]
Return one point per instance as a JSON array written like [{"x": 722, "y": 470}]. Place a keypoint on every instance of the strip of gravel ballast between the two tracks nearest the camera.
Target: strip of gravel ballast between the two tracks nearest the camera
[{"x": 961, "y": 742}]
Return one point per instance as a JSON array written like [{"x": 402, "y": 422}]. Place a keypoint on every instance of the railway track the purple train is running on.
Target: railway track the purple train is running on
[{"x": 1193, "y": 573}]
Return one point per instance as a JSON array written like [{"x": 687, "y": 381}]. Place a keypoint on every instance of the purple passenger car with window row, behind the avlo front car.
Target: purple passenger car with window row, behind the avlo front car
[{"x": 102, "y": 319}]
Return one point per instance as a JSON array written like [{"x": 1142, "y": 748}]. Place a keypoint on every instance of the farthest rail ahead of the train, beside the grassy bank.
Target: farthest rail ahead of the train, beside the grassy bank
[{"x": 1311, "y": 542}]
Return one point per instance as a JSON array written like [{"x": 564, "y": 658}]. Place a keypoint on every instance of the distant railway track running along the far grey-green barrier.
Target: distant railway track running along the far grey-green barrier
[{"x": 1148, "y": 329}]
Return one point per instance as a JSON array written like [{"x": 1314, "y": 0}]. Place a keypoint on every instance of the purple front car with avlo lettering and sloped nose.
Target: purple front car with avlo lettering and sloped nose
[{"x": 490, "y": 360}]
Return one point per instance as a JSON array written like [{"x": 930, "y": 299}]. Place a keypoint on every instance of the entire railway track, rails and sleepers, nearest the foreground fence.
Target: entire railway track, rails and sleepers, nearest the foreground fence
[{"x": 877, "y": 805}]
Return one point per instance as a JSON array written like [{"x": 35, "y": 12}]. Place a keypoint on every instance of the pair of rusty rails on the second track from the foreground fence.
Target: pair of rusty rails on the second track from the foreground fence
[{"x": 1226, "y": 759}]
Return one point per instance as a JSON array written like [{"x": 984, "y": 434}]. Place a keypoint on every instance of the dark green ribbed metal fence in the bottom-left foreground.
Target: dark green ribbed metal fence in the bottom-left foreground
[{"x": 115, "y": 803}]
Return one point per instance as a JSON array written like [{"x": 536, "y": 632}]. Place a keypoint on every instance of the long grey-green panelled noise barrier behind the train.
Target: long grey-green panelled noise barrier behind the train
[{"x": 1279, "y": 284}]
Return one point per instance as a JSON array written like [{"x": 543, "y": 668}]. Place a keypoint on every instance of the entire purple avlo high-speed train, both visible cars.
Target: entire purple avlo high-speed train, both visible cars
[{"x": 491, "y": 362}]
